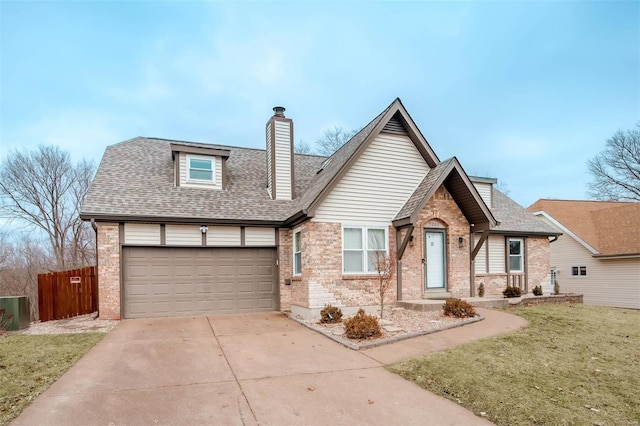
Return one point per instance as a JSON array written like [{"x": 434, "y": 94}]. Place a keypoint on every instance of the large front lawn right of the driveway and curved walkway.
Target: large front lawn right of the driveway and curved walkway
[{"x": 573, "y": 365}]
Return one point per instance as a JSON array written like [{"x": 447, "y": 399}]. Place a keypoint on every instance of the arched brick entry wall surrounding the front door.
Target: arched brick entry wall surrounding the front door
[{"x": 443, "y": 213}]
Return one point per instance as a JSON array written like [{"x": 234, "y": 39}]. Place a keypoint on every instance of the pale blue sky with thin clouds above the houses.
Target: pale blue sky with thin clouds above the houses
[{"x": 522, "y": 91}]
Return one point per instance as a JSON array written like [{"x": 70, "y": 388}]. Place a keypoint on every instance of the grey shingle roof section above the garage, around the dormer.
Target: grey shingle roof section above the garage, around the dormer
[{"x": 136, "y": 178}]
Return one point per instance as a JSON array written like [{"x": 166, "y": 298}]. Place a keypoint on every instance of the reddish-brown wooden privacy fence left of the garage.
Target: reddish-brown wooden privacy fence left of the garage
[{"x": 67, "y": 294}]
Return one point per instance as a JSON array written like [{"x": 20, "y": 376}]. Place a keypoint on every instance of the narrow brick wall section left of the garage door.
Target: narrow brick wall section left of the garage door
[{"x": 108, "y": 240}]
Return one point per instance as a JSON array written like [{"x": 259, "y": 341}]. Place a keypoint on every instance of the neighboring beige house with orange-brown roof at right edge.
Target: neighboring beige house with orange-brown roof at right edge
[{"x": 598, "y": 253}]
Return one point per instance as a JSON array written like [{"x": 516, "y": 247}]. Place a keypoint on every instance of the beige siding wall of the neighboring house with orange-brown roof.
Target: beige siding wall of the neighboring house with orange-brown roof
[{"x": 614, "y": 282}]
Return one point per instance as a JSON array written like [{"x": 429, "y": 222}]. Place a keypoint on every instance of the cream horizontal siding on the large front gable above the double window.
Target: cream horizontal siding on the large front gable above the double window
[{"x": 378, "y": 184}]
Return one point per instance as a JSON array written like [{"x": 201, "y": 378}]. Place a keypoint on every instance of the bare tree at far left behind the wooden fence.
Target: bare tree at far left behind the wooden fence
[{"x": 44, "y": 190}]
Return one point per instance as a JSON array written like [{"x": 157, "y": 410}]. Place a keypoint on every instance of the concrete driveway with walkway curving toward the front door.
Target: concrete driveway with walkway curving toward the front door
[{"x": 248, "y": 370}]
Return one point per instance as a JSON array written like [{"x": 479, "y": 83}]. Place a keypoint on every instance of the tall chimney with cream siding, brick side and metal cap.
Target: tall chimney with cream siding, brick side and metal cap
[{"x": 280, "y": 182}]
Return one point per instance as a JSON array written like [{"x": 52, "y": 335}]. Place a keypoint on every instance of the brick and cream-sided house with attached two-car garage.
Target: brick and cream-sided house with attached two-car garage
[{"x": 190, "y": 228}]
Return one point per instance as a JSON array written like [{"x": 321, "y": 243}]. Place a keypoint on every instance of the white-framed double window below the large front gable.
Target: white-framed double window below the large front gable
[{"x": 362, "y": 246}]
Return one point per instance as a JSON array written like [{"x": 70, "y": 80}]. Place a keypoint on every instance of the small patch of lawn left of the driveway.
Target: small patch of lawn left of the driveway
[{"x": 29, "y": 364}]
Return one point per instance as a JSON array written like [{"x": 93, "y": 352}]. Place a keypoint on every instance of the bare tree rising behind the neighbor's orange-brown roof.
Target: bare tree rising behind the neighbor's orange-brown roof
[{"x": 616, "y": 170}]
